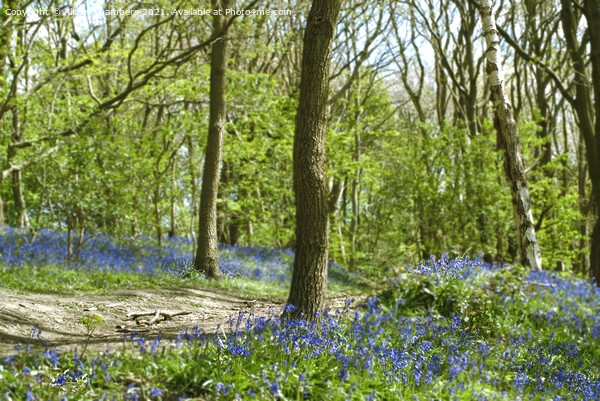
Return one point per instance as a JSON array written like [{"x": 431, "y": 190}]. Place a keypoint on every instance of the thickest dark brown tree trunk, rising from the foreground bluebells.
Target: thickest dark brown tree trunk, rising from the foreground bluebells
[{"x": 309, "y": 278}]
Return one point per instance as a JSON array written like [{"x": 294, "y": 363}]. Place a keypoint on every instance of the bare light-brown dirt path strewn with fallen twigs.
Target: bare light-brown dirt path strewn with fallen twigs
[{"x": 59, "y": 316}]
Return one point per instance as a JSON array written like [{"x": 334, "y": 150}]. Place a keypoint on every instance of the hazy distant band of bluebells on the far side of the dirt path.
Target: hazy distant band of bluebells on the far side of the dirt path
[{"x": 140, "y": 254}]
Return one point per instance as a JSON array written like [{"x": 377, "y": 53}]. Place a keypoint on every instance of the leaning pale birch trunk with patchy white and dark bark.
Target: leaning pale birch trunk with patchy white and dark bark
[{"x": 529, "y": 251}]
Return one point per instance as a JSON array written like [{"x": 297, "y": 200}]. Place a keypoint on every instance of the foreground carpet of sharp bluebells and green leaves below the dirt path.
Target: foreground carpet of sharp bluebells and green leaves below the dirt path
[{"x": 444, "y": 329}]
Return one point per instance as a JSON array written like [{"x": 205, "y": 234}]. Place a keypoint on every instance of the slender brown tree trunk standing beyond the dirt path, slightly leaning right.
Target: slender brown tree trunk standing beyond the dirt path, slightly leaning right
[{"x": 207, "y": 258}]
